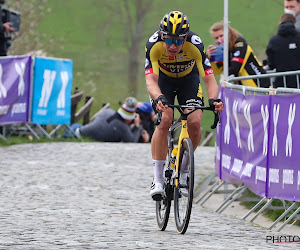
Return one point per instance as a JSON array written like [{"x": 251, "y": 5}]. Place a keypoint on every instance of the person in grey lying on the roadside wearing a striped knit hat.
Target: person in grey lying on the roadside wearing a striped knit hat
[{"x": 111, "y": 126}]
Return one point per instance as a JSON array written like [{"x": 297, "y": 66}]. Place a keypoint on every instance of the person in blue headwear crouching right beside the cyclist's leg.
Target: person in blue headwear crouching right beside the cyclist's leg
[{"x": 147, "y": 116}]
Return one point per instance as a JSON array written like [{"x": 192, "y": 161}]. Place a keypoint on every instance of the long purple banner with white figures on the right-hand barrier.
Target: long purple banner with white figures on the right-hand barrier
[{"x": 257, "y": 143}]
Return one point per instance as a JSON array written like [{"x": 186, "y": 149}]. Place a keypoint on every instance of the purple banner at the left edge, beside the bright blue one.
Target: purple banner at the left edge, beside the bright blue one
[{"x": 14, "y": 89}]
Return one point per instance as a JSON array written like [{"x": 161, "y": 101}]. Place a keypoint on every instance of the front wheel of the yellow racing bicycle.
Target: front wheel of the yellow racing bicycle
[{"x": 183, "y": 194}]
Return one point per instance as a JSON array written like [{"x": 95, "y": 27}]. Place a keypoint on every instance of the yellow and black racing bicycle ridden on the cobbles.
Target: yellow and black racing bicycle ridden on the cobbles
[{"x": 181, "y": 193}]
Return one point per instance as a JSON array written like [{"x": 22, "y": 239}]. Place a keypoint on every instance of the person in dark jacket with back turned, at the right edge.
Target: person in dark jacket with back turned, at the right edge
[{"x": 283, "y": 51}]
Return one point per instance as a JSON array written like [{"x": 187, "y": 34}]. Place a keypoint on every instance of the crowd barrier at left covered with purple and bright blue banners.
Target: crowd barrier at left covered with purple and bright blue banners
[{"x": 35, "y": 90}]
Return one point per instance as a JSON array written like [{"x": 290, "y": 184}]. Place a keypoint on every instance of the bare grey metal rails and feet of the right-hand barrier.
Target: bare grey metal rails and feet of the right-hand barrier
[{"x": 214, "y": 184}]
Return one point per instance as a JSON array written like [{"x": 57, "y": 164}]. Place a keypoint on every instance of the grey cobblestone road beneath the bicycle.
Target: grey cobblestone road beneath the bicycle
[{"x": 96, "y": 196}]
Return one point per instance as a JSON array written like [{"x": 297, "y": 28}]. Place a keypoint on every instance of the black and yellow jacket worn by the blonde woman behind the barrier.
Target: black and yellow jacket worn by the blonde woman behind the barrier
[{"x": 243, "y": 62}]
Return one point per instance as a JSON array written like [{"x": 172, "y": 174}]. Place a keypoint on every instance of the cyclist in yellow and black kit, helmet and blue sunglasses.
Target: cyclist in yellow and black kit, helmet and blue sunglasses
[{"x": 175, "y": 58}]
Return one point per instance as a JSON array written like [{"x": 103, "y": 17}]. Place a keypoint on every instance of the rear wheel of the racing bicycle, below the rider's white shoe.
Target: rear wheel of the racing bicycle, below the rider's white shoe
[{"x": 164, "y": 205}]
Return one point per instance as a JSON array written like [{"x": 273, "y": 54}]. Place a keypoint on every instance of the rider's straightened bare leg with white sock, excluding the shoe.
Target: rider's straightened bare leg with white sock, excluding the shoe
[{"x": 159, "y": 144}]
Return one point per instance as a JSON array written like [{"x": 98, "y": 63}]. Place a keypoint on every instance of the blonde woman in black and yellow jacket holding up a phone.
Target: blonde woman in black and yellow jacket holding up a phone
[{"x": 242, "y": 60}]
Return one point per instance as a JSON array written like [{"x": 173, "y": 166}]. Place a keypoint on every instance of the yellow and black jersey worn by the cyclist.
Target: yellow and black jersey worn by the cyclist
[{"x": 191, "y": 55}]
